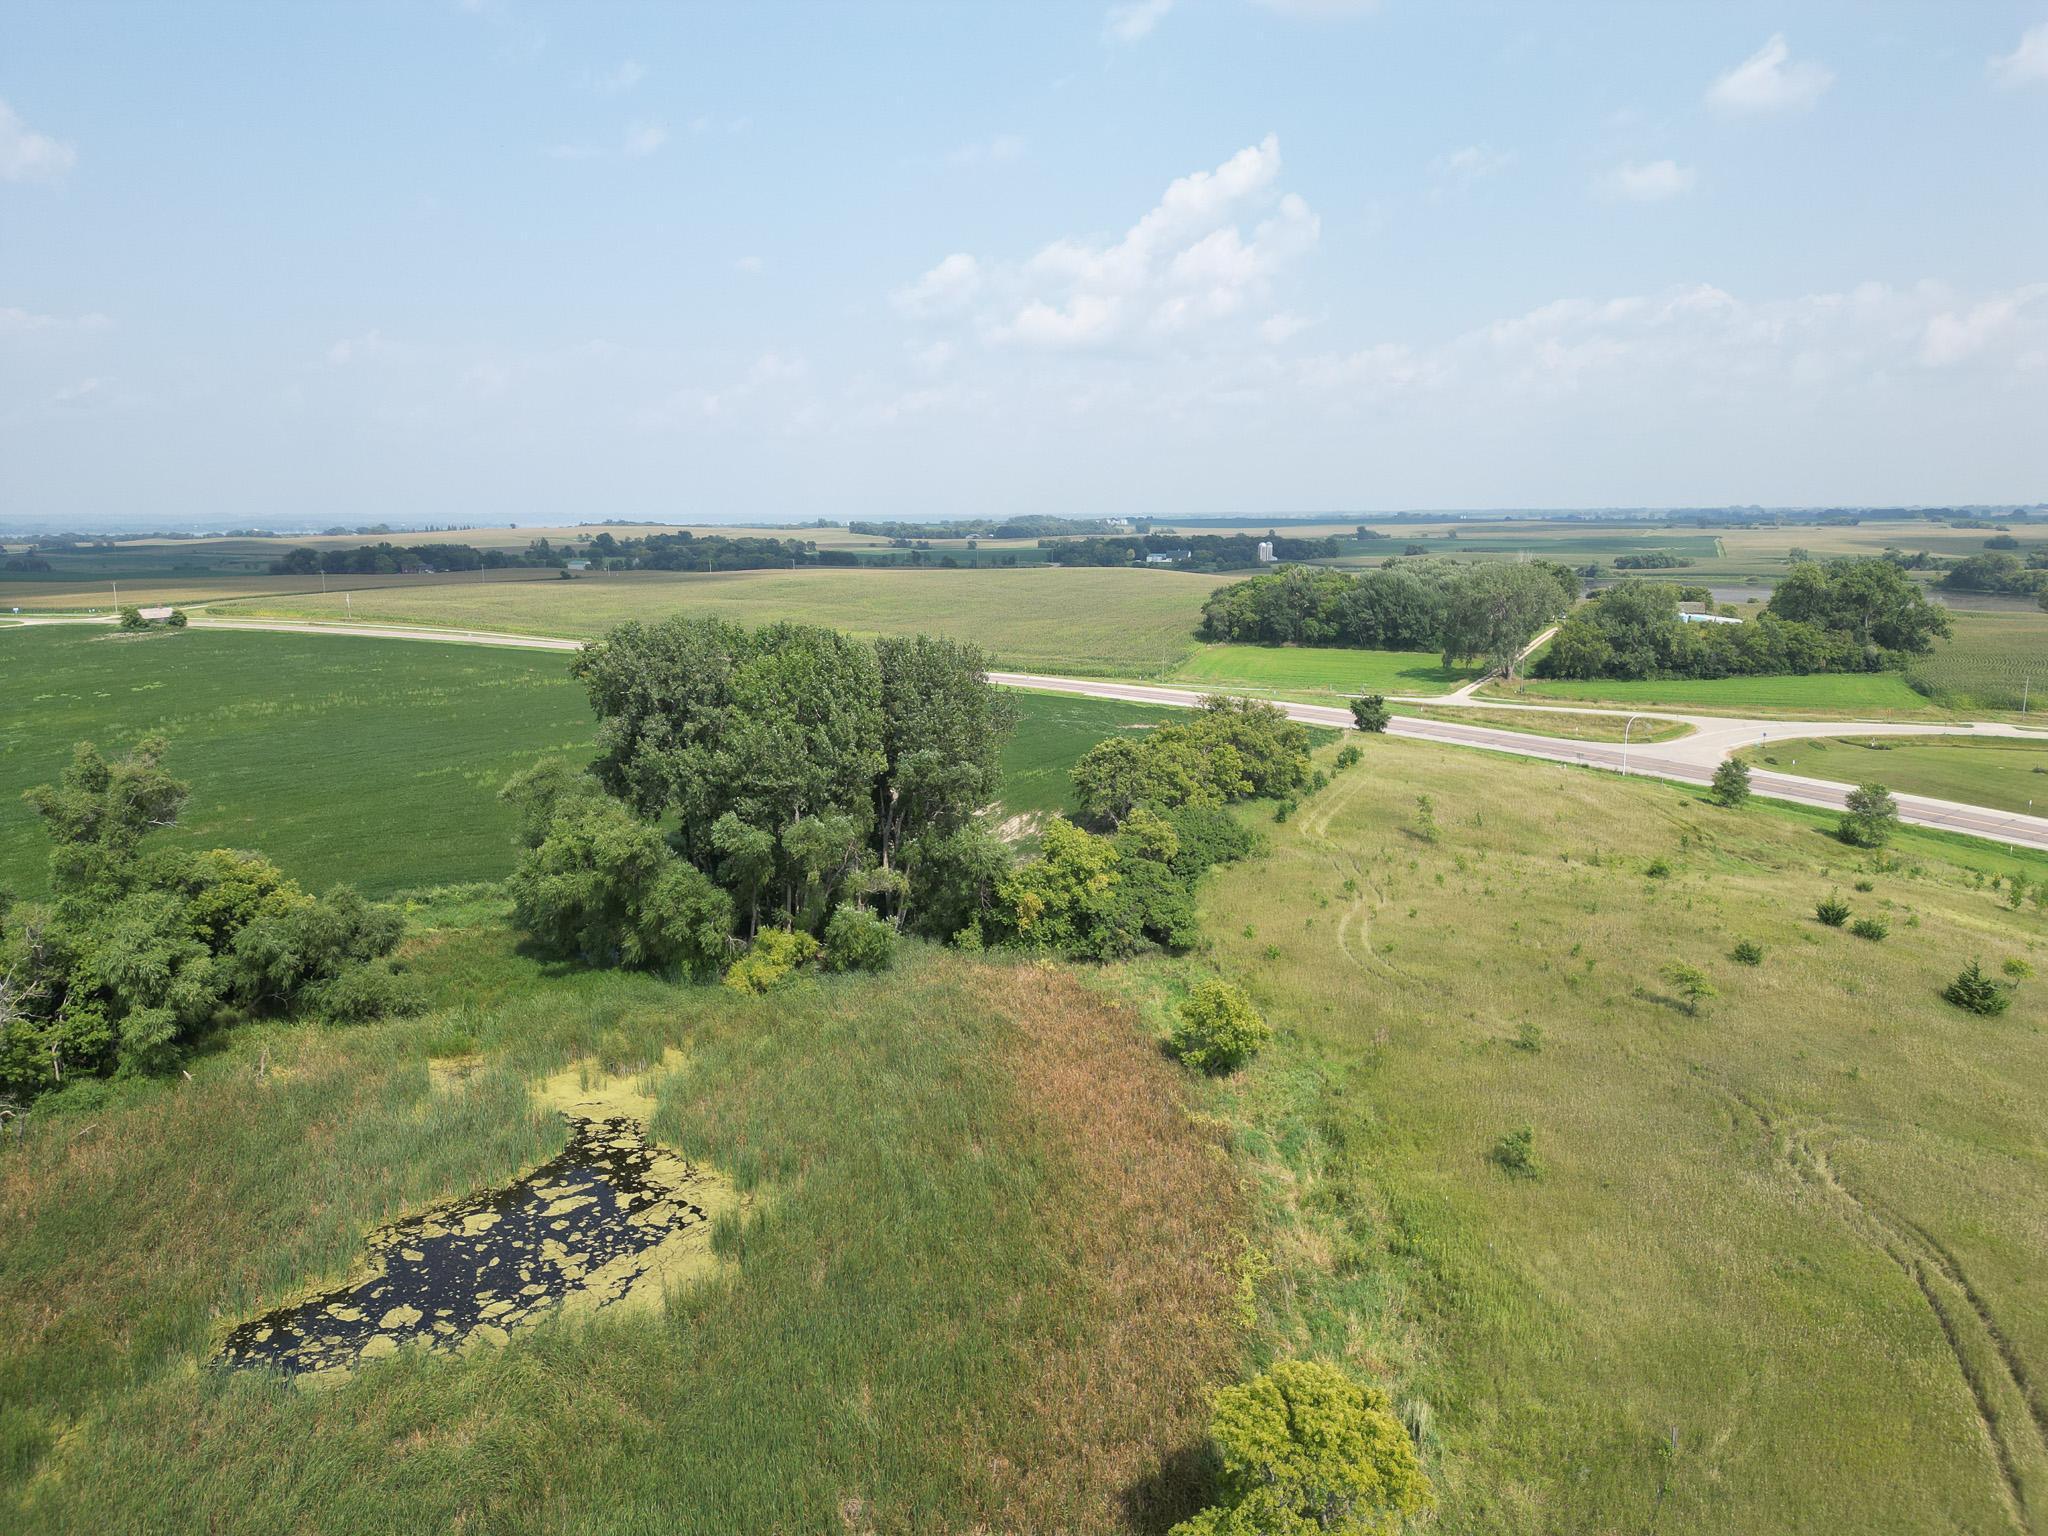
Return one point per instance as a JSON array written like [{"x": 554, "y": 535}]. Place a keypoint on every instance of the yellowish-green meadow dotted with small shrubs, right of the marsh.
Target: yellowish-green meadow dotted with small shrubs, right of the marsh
[{"x": 1783, "y": 1261}]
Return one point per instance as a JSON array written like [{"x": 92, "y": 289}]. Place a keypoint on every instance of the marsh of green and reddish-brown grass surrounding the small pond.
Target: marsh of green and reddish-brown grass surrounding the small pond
[{"x": 986, "y": 1283}]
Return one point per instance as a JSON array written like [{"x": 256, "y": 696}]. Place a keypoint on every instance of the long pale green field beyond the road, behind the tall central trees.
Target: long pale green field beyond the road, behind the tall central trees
[{"x": 1091, "y": 622}]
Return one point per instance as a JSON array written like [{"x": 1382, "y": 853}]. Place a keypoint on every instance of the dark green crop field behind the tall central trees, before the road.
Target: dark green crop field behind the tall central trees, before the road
[{"x": 359, "y": 761}]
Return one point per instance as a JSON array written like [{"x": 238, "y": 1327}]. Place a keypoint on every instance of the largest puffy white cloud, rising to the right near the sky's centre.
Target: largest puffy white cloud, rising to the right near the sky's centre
[{"x": 1193, "y": 259}]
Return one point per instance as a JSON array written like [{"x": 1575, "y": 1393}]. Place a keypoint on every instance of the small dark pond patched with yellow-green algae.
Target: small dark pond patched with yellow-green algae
[{"x": 613, "y": 1220}]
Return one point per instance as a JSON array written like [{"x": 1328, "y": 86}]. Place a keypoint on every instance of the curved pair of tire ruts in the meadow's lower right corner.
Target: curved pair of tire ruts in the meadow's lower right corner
[{"x": 2000, "y": 1385}]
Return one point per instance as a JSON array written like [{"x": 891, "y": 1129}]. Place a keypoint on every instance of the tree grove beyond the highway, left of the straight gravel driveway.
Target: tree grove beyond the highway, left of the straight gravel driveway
[{"x": 1463, "y": 611}]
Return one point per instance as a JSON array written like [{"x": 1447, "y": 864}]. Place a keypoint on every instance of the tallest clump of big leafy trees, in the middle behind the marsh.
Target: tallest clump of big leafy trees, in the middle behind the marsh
[{"x": 757, "y": 781}]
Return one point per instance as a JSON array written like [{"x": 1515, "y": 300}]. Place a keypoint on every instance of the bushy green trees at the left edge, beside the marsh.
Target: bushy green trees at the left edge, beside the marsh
[{"x": 144, "y": 949}]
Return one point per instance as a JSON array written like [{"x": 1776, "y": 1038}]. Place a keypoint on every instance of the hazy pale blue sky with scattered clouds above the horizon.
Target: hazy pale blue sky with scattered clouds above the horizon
[{"x": 501, "y": 261}]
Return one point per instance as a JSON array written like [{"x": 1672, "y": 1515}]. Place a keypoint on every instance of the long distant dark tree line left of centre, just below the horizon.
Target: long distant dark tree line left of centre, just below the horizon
[{"x": 658, "y": 552}]
